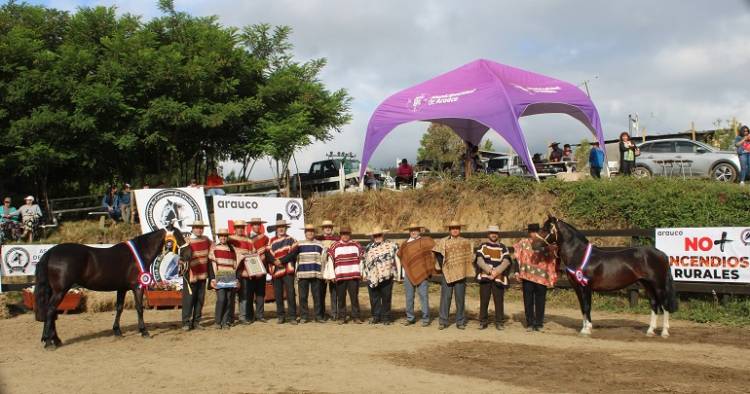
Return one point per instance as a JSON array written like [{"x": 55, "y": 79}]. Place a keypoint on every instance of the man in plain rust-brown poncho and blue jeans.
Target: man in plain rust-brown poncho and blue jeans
[{"x": 418, "y": 264}]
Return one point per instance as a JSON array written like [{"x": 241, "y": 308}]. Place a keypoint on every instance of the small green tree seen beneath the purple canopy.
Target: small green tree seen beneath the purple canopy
[{"x": 441, "y": 146}]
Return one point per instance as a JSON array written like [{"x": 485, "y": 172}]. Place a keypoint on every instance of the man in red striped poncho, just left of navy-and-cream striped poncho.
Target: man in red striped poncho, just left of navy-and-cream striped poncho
[{"x": 283, "y": 248}]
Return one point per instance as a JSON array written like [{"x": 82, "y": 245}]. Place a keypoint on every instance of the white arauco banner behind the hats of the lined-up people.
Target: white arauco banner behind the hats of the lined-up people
[{"x": 270, "y": 209}]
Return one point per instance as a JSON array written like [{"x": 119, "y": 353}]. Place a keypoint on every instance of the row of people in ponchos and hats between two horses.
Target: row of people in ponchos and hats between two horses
[{"x": 237, "y": 264}]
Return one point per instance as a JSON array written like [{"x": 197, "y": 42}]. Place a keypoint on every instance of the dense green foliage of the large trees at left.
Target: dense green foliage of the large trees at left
[{"x": 91, "y": 97}]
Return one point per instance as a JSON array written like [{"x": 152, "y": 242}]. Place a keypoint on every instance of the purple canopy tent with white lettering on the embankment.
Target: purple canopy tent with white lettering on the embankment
[{"x": 478, "y": 96}]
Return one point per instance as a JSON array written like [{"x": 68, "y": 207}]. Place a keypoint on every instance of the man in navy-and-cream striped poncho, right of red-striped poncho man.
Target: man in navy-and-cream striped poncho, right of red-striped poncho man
[{"x": 310, "y": 259}]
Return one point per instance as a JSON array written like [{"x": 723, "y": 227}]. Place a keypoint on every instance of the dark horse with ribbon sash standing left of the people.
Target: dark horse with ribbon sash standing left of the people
[{"x": 100, "y": 269}]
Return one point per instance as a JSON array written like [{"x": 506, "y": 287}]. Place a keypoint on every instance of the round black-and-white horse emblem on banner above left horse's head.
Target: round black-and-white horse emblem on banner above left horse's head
[{"x": 170, "y": 205}]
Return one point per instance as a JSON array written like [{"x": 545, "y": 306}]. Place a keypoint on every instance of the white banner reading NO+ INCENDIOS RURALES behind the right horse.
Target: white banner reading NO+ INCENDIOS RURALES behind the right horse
[{"x": 709, "y": 254}]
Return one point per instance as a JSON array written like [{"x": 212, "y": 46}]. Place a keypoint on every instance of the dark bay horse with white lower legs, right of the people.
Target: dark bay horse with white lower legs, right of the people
[{"x": 592, "y": 269}]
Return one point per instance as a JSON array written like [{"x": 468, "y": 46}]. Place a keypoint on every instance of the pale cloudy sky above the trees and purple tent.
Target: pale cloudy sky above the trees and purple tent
[{"x": 671, "y": 62}]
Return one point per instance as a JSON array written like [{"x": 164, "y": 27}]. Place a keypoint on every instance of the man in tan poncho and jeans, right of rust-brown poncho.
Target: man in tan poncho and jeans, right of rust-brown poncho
[{"x": 455, "y": 257}]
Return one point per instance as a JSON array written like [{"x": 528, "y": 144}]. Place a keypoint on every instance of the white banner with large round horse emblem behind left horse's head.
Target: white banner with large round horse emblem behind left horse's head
[{"x": 158, "y": 207}]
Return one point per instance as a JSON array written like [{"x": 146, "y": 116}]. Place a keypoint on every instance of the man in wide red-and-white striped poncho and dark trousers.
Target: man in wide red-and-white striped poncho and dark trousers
[{"x": 347, "y": 256}]
